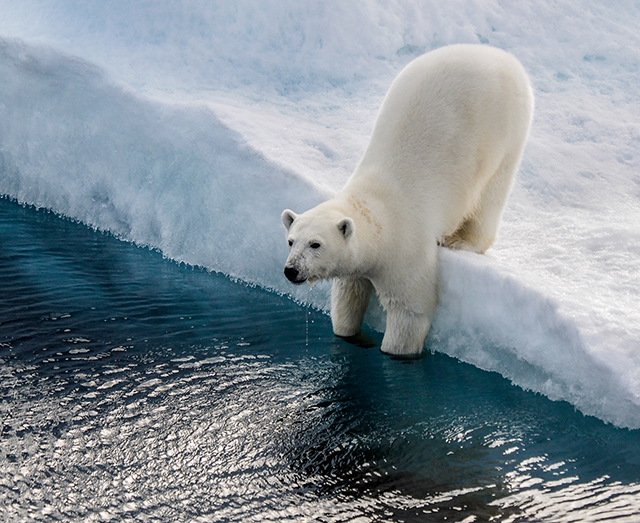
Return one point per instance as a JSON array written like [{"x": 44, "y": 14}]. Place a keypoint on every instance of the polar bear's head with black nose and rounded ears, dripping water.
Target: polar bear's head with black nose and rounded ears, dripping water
[{"x": 320, "y": 244}]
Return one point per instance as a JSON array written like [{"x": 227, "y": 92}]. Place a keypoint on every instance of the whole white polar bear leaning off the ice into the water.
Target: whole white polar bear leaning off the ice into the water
[{"x": 438, "y": 170}]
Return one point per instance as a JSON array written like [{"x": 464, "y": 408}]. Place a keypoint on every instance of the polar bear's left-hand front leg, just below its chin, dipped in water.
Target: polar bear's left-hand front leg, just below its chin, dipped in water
[{"x": 349, "y": 302}]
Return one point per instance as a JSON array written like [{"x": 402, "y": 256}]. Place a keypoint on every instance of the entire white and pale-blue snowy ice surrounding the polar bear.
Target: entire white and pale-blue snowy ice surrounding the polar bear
[{"x": 188, "y": 127}]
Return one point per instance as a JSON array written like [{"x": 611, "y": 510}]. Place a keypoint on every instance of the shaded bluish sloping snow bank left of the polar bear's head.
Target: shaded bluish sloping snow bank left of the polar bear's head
[{"x": 167, "y": 175}]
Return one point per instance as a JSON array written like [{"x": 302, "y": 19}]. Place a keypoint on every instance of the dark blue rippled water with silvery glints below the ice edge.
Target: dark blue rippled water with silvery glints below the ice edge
[{"x": 136, "y": 389}]
